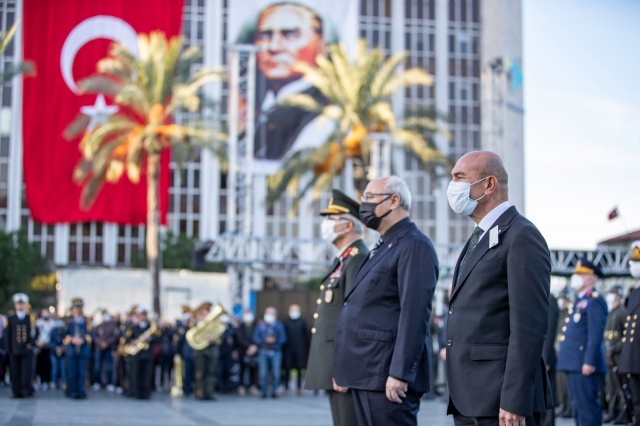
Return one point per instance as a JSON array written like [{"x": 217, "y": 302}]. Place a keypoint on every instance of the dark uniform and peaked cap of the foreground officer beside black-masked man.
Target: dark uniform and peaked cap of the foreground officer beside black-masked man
[{"x": 335, "y": 285}]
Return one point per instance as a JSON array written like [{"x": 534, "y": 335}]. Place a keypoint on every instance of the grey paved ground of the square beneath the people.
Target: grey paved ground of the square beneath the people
[{"x": 103, "y": 408}]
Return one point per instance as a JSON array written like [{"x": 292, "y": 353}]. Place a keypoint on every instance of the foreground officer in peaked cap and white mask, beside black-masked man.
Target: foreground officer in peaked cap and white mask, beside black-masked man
[{"x": 342, "y": 227}]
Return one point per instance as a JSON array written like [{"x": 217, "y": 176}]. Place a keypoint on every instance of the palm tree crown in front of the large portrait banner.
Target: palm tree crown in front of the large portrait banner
[{"x": 358, "y": 94}]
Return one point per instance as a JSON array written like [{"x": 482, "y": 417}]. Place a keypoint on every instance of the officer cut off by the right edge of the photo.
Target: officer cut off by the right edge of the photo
[{"x": 630, "y": 354}]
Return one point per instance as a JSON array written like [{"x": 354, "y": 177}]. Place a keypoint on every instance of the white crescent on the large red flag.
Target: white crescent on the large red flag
[{"x": 101, "y": 26}]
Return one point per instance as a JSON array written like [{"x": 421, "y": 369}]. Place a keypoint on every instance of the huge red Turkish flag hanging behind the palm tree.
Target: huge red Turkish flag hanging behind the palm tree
[{"x": 66, "y": 38}]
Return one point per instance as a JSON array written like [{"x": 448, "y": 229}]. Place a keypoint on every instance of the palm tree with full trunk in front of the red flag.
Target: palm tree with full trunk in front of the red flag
[{"x": 148, "y": 90}]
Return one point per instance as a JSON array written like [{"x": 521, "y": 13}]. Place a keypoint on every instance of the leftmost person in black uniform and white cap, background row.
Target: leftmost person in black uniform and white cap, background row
[{"x": 19, "y": 346}]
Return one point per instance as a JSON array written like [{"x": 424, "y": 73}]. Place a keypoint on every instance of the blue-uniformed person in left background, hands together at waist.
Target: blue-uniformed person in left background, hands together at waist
[{"x": 77, "y": 339}]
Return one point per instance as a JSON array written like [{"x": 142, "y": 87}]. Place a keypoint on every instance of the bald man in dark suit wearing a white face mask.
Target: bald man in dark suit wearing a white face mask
[{"x": 499, "y": 305}]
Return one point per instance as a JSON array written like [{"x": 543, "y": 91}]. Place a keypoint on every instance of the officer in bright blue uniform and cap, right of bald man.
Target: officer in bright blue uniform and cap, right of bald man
[{"x": 582, "y": 350}]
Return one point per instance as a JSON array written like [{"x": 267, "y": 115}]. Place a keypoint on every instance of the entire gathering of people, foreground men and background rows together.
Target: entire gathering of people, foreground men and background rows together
[{"x": 514, "y": 355}]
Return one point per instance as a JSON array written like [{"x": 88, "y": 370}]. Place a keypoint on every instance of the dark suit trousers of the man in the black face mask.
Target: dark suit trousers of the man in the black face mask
[{"x": 374, "y": 409}]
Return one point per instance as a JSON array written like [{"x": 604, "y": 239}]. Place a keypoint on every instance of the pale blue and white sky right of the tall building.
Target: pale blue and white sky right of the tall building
[{"x": 582, "y": 119}]
